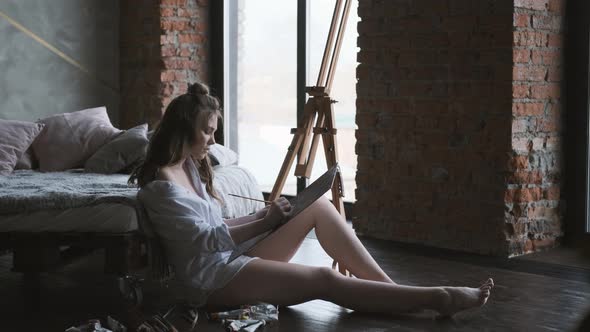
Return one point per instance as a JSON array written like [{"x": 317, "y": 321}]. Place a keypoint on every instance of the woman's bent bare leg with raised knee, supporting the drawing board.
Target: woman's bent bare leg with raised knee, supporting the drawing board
[{"x": 334, "y": 235}]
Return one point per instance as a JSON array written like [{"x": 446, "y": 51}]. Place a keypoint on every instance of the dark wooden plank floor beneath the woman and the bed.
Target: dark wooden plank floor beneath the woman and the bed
[{"x": 529, "y": 295}]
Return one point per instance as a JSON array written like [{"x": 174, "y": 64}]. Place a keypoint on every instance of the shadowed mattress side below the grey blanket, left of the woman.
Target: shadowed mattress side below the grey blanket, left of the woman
[{"x": 101, "y": 218}]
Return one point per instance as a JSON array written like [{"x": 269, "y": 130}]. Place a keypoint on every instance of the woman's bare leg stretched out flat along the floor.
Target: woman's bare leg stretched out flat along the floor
[{"x": 287, "y": 284}]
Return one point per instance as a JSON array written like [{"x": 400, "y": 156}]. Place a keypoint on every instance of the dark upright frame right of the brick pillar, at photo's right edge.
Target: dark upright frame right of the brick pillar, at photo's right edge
[{"x": 577, "y": 137}]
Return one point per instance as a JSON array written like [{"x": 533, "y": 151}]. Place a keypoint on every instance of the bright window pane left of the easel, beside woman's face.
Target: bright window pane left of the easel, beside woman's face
[{"x": 266, "y": 85}]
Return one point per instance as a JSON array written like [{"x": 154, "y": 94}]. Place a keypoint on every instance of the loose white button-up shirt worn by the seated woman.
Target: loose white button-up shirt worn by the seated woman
[{"x": 195, "y": 237}]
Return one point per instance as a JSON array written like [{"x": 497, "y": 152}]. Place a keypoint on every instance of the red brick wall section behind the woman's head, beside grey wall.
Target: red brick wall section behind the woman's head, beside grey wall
[{"x": 163, "y": 48}]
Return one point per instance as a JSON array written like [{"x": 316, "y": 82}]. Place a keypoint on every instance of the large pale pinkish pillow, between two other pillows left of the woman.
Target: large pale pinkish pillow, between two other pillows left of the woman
[{"x": 70, "y": 138}]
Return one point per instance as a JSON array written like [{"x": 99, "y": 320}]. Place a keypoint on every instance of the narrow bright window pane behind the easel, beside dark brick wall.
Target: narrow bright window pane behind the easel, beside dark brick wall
[{"x": 343, "y": 87}]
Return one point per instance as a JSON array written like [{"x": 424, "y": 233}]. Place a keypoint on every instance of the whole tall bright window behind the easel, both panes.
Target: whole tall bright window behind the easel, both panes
[{"x": 260, "y": 85}]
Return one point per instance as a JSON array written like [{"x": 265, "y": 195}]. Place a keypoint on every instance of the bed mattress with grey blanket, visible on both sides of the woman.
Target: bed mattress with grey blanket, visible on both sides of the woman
[{"x": 74, "y": 201}]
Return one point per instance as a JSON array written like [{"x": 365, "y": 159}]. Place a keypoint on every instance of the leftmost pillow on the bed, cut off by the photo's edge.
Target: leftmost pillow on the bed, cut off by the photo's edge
[{"x": 15, "y": 139}]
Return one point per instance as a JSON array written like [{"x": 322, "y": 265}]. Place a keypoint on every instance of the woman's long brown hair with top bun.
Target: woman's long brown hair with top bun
[{"x": 175, "y": 132}]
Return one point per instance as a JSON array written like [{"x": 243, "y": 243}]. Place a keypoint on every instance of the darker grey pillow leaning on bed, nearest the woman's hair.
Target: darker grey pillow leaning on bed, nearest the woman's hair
[{"x": 119, "y": 153}]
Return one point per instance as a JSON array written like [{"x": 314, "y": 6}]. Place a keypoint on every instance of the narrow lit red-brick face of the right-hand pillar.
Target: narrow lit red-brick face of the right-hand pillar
[{"x": 534, "y": 212}]
